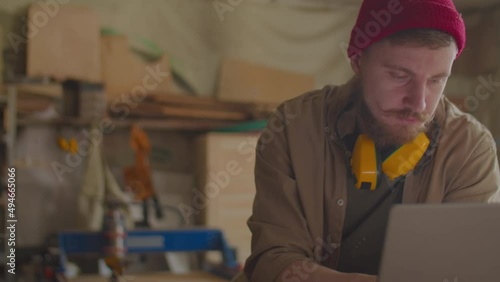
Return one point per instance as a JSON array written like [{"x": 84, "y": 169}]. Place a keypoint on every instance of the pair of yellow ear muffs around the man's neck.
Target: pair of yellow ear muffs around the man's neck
[{"x": 366, "y": 165}]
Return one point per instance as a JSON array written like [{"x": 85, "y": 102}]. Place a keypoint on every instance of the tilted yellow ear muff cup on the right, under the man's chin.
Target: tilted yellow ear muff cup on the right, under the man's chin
[{"x": 404, "y": 159}]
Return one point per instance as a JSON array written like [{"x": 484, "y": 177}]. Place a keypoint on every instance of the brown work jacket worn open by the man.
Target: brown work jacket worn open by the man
[{"x": 302, "y": 165}]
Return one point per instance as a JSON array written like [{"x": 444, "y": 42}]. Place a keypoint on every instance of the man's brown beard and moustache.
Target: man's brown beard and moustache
[{"x": 385, "y": 135}]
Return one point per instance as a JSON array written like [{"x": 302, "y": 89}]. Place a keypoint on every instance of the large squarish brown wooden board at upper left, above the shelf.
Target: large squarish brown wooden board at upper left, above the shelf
[{"x": 66, "y": 45}]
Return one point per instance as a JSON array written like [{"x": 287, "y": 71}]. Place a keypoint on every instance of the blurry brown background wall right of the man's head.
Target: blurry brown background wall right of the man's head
[{"x": 476, "y": 74}]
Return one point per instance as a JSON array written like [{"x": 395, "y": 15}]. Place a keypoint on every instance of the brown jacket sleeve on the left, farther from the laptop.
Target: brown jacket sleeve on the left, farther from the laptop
[{"x": 279, "y": 229}]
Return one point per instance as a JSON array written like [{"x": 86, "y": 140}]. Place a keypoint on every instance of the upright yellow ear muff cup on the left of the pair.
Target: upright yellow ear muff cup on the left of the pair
[{"x": 364, "y": 163}]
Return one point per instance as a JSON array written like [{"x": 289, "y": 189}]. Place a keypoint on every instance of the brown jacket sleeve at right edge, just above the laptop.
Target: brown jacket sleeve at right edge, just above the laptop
[{"x": 478, "y": 179}]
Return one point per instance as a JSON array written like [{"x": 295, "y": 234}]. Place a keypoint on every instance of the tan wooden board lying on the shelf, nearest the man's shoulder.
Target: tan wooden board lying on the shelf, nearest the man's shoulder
[{"x": 246, "y": 82}]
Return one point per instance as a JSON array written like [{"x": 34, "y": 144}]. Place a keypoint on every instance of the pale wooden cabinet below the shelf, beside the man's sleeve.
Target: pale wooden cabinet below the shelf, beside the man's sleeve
[{"x": 226, "y": 179}]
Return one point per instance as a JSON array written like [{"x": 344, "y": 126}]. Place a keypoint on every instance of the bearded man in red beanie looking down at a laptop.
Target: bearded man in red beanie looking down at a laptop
[{"x": 339, "y": 158}]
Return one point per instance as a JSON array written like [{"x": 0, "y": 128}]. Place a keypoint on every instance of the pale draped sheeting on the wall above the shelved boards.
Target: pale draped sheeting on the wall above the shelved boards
[{"x": 197, "y": 37}]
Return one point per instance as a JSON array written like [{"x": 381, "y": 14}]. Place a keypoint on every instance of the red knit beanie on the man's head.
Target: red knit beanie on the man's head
[{"x": 378, "y": 19}]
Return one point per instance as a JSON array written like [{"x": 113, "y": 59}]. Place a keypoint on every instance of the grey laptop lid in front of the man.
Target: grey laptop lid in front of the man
[{"x": 442, "y": 243}]
